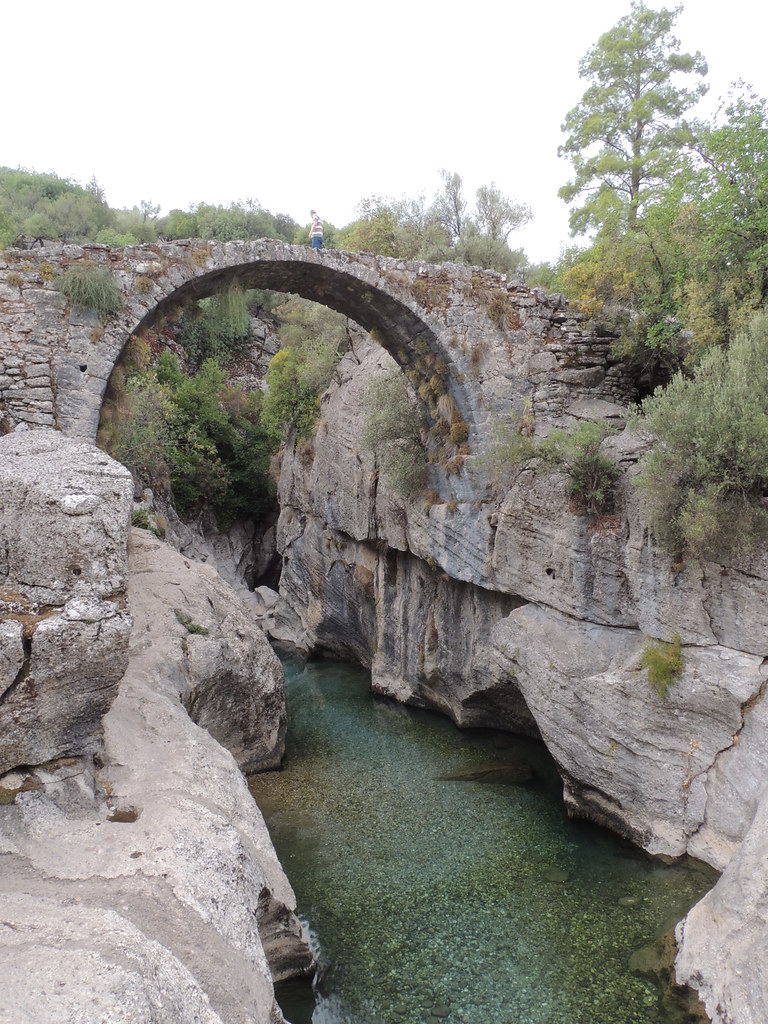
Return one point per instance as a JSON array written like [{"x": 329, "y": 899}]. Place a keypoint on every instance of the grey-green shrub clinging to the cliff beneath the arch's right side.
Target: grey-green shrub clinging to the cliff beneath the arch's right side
[{"x": 393, "y": 434}]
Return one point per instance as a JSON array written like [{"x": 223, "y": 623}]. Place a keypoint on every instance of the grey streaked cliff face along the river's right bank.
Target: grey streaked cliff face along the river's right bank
[{"x": 517, "y": 613}]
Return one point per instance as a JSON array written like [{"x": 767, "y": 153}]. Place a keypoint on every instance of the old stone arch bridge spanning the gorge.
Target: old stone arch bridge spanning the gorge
[{"x": 494, "y": 346}]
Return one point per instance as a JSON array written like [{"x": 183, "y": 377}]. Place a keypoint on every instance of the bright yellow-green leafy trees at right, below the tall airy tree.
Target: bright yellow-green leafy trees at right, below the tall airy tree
[{"x": 696, "y": 271}]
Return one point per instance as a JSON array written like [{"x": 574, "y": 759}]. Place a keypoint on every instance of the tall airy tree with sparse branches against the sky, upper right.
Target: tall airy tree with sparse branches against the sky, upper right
[{"x": 627, "y": 132}]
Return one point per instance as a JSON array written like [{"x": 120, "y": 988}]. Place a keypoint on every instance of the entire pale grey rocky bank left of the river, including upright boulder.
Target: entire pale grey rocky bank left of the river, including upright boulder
[{"x": 139, "y": 878}]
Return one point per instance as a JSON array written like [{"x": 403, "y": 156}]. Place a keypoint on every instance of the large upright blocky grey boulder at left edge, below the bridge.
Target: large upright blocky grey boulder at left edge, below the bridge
[{"x": 65, "y": 517}]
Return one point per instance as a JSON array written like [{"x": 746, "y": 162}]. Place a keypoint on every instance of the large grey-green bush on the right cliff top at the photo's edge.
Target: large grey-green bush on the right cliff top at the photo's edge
[{"x": 707, "y": 478}]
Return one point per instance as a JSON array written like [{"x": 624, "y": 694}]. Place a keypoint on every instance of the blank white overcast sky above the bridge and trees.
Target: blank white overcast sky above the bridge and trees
[{"x": 300, "y": 104}]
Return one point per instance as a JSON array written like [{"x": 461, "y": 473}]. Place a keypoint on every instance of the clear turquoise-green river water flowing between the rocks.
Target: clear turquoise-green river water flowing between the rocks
[{"x": 442, "y": 880}]
